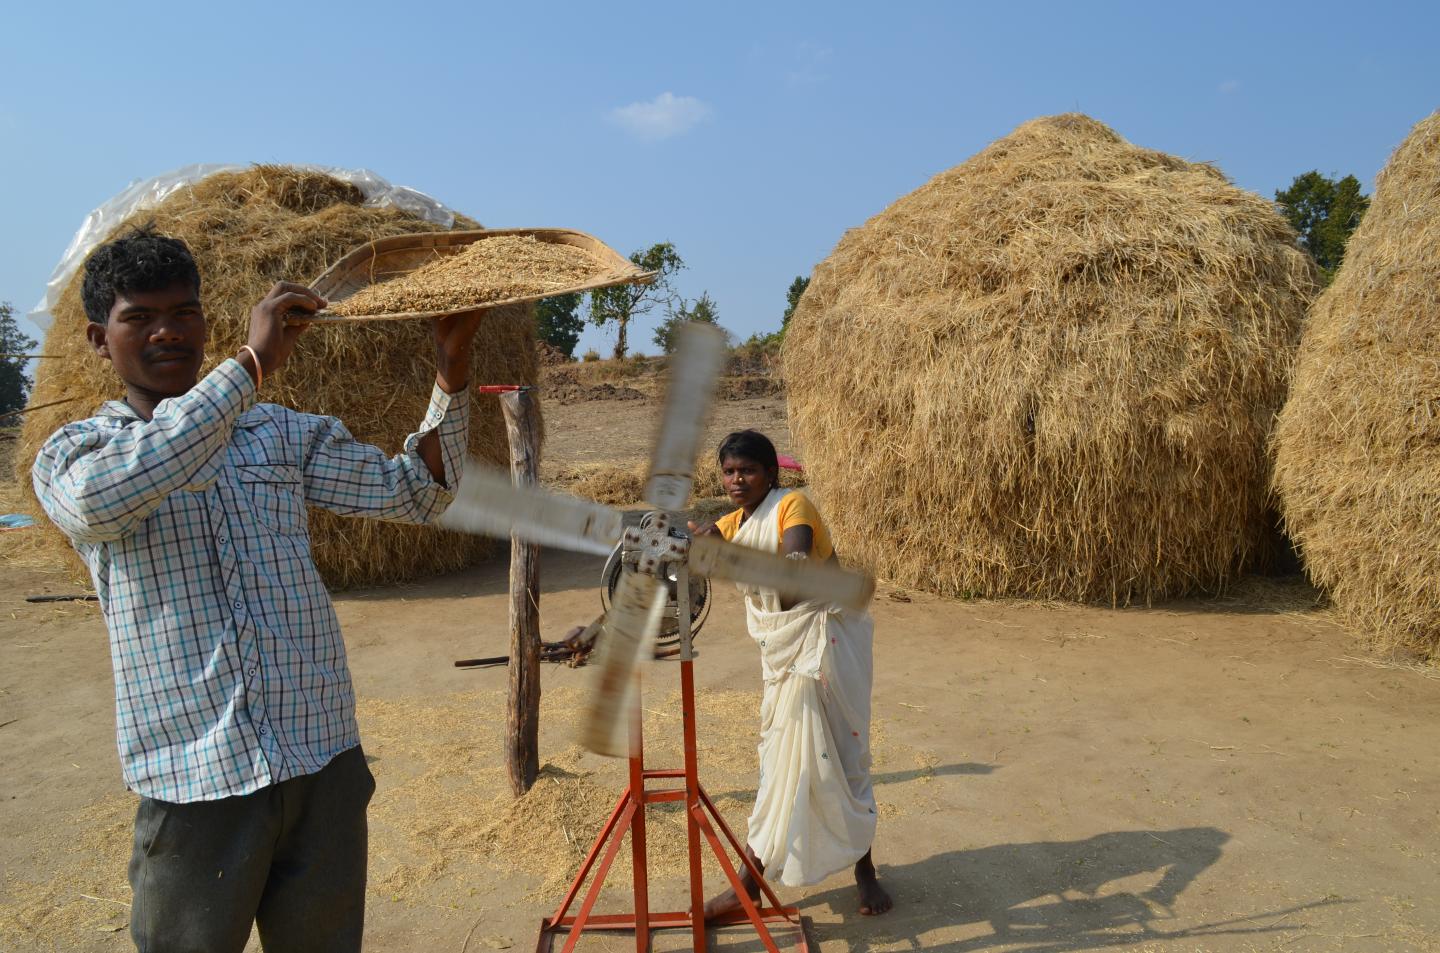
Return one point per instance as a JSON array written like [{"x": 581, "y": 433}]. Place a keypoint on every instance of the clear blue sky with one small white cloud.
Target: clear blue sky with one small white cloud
[{"x": 751, "y": 136}]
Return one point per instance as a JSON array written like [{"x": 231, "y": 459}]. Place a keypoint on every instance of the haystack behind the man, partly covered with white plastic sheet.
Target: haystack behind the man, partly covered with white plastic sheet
[{"x": 247, "y": 231}]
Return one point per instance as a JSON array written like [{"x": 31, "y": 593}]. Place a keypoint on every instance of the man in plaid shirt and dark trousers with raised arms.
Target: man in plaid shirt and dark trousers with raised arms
[{"x": 234, "y": 706}]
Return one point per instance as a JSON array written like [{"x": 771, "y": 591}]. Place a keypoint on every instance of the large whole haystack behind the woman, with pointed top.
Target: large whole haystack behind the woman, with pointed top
[{"x": 1052, "y": 372}]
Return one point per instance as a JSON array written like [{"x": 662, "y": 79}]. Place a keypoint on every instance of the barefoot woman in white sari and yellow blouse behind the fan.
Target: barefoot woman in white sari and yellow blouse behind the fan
[{"x": 816, "y": 811}]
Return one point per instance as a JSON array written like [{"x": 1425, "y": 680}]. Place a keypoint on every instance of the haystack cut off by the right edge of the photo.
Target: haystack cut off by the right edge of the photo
[{"x": 1359, "y": 443}]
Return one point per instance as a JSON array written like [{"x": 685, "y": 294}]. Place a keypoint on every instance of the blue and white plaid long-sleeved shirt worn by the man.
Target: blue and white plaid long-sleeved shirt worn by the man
[{"x": 230, "y": 667}]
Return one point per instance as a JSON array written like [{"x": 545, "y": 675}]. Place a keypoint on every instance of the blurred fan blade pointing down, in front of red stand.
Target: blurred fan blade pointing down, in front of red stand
[{"x": 629, "y": 638}]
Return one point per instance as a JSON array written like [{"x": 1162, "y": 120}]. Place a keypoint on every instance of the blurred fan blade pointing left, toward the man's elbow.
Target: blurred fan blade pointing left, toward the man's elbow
[{"x": 487, "y": 503}]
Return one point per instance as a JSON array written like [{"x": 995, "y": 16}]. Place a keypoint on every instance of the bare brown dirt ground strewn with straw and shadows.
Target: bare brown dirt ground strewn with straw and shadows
[{"x": 1222, "y": 775}]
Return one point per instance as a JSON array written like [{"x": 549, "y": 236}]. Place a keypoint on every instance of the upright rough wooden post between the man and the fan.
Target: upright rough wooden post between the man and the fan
[{"x": 523, "y": 738}]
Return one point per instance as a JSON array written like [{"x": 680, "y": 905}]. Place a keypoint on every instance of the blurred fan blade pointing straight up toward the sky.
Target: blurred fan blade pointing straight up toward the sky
[{"x": 693, "y": 369}]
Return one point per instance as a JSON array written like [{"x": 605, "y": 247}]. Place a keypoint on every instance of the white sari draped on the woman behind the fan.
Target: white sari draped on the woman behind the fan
[{"x": 816, "y": 810}]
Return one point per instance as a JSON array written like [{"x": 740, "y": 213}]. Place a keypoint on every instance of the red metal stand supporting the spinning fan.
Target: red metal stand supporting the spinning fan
[{"x": 702, "y": 821}]
